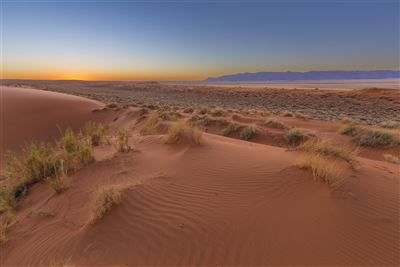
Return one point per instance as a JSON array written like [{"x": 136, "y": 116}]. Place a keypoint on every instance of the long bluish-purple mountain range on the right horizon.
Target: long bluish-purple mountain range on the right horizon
[{"x": 310, "y": 75}]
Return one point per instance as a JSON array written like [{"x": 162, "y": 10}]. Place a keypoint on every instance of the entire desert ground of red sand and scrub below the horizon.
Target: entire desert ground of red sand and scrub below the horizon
[{"x": 204, "y": 176}]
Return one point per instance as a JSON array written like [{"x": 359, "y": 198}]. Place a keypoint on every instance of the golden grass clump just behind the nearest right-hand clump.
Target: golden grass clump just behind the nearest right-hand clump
[{"x": 326, "y": 148}]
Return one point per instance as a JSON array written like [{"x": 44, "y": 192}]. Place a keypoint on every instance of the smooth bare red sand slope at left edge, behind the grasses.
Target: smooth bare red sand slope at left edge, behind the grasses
[{"x": 28, "y": 114}]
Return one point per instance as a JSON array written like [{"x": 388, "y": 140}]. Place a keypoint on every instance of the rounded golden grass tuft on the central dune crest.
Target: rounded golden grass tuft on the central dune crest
[{"x": 182, "y": 133}]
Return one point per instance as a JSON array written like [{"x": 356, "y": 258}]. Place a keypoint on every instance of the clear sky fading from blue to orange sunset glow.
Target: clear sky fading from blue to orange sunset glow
[{"x": 193, "y": 40}]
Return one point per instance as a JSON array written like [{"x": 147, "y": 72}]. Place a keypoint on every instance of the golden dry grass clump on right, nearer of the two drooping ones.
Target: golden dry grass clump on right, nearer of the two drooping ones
[{"x": 322, "y": 169}]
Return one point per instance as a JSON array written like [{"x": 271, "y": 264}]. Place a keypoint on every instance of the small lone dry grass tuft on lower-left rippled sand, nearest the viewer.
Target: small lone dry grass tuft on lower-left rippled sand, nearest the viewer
[{"x": 105, "y": 198}]
